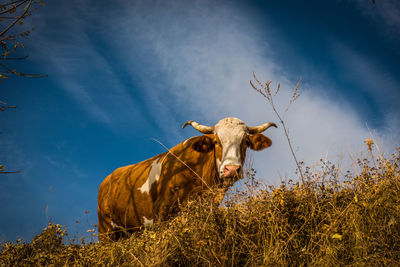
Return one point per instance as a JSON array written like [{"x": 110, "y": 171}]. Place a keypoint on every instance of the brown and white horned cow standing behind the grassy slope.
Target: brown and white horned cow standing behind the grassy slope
[{"x": 141, "y": 194}]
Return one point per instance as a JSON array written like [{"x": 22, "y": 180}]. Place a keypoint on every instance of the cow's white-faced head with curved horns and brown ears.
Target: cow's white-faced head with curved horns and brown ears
[{"x": 230, "y": 138}]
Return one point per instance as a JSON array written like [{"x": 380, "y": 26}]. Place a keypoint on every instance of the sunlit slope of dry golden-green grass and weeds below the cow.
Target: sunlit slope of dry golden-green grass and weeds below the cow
[{"x": 334, "y": 218}]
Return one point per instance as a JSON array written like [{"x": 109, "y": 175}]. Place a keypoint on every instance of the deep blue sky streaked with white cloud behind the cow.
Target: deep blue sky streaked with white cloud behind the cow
[{"x": 123, "y": 72}]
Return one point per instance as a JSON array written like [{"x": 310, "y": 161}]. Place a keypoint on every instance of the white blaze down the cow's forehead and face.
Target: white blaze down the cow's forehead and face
[{"x": 230, "y": 132}]
